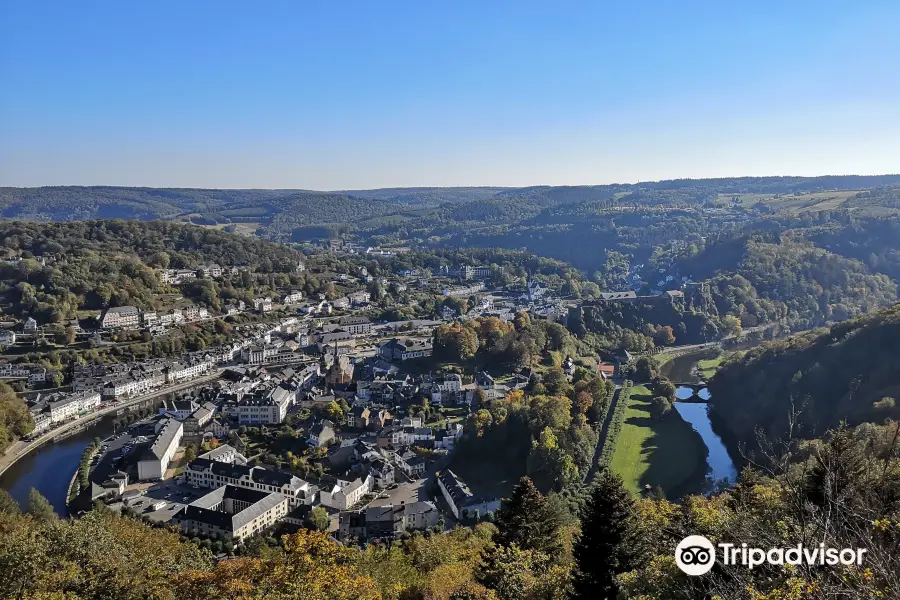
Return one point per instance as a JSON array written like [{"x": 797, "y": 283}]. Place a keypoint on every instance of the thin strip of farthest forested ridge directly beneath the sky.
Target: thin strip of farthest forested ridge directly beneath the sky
[{"x": 77, "y": 203}]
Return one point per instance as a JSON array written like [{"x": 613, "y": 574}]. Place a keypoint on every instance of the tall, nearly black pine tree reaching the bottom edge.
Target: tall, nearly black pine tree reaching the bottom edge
[{"x": 607, "y": 545}]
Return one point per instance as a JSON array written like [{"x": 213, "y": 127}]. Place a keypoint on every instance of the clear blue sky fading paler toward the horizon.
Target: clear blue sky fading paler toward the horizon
[{"x": 339, "y": 94}]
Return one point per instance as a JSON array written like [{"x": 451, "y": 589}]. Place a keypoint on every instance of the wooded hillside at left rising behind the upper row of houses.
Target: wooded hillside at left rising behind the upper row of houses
[{"x": 53, "y": 271}]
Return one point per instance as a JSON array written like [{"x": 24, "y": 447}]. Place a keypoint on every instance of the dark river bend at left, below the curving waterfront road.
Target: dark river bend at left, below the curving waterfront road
[{"x": 50, "y": 468}]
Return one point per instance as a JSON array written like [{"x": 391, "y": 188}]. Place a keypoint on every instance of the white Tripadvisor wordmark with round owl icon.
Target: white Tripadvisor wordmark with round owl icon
[{"x": 696, "y": 555}]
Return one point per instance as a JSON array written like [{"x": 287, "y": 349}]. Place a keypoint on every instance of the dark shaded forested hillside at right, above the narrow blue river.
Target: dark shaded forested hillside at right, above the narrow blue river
[{"x": 849, "y": 372}]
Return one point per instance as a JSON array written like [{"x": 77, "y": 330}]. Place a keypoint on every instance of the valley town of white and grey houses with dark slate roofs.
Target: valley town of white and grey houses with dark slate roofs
[{"x": 311, "y": 413}]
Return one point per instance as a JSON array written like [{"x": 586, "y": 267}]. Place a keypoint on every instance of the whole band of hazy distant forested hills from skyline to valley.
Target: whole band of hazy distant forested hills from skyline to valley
[{"x": 582, "y": 225}]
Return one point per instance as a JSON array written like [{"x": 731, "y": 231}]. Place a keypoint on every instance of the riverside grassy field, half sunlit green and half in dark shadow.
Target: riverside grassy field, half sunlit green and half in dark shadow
[{"x": 668, "y": 453}]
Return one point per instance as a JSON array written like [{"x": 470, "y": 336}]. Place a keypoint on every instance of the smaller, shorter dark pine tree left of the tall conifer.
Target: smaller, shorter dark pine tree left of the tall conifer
[{"x": 528, "y": 520}]
